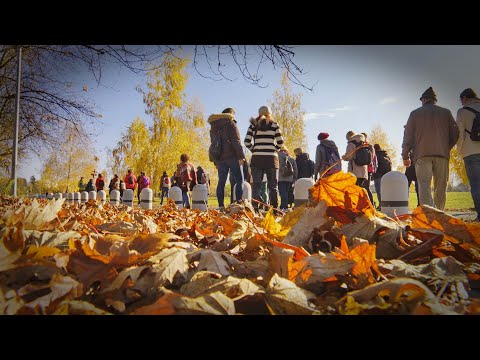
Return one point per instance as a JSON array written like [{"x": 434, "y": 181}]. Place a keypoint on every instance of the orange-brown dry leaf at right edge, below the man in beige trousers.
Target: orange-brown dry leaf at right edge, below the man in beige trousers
[{"x": 455, "y": 230}]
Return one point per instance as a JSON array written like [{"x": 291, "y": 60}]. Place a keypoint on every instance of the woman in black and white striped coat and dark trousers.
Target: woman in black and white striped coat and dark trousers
[{"x": 264, "y": 139}]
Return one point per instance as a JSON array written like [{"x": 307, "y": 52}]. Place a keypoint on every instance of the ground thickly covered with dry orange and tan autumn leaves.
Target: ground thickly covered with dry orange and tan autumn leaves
[{"x": 335, "y": 256}]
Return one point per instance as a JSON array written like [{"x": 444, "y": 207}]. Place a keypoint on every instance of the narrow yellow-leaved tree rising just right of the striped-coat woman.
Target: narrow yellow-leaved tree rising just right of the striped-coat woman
[{"x": 288, "y": 113}]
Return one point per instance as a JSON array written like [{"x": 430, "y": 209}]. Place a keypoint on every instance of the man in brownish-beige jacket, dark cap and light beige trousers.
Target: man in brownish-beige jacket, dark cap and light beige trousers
[{"x": 431, "y": 132}]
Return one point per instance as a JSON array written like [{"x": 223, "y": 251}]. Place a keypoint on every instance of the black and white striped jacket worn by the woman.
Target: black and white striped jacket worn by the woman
[{"x": 264, "y": 143}]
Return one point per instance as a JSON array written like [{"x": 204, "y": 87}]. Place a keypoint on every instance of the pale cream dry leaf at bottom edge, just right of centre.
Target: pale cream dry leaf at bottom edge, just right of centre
[{"x": 283, "y": 297}]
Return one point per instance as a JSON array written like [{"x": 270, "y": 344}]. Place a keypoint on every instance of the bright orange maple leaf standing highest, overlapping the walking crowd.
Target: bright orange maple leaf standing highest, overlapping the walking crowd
[{"x": 340, "y": 190}]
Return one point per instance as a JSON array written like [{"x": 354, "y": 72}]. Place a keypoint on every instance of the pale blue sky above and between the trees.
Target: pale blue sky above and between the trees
[{"x": 357, "y": 87}]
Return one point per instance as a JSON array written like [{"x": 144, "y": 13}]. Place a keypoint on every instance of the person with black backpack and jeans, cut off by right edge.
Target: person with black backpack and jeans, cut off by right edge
[{"x": 469, "y": 149}]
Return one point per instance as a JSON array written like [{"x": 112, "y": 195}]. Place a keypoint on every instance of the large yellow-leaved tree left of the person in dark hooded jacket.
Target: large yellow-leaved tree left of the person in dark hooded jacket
[{"x": 177, "y": 127}]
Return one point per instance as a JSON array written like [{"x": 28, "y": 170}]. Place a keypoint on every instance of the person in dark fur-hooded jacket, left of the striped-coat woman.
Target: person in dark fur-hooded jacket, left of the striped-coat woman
[{"x": 224, "y": 135}]
